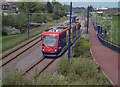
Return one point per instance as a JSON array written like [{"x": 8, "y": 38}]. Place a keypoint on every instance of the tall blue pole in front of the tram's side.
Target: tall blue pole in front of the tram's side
[{"x": 69, "y": 31}]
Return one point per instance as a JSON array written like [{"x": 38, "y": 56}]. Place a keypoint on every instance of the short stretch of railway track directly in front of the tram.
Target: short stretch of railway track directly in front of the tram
[{"x": 35, "y": 64}]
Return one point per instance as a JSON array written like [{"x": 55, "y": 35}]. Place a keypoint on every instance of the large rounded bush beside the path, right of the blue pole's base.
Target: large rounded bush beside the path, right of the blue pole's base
[{"x": 83, "y": 67}]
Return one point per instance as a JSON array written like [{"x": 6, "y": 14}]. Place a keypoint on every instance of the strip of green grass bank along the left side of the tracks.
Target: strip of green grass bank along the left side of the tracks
[{"x": 11, "y": 41}]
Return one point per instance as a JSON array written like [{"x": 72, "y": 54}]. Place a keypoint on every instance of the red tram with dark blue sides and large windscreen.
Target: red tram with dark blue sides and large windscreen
[{"x": 55, "y": 40}]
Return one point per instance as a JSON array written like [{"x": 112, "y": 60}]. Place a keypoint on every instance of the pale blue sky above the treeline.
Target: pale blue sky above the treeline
[{"x": 85, "y": 3}]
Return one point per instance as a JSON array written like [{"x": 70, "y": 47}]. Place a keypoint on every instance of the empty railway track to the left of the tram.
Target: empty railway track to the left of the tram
[{"x": 20, "y": 50}]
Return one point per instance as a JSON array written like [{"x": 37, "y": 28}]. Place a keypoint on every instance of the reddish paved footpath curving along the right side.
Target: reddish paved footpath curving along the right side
[{"x": 105, "y": 57}]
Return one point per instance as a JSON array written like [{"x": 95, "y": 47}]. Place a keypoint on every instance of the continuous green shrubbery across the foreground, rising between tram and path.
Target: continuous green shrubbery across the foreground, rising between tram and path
[{"x": 80, "y": 70}]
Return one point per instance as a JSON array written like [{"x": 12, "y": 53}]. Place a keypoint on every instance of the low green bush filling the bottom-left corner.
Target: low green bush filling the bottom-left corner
[{"x": 14, "y": 77}]
